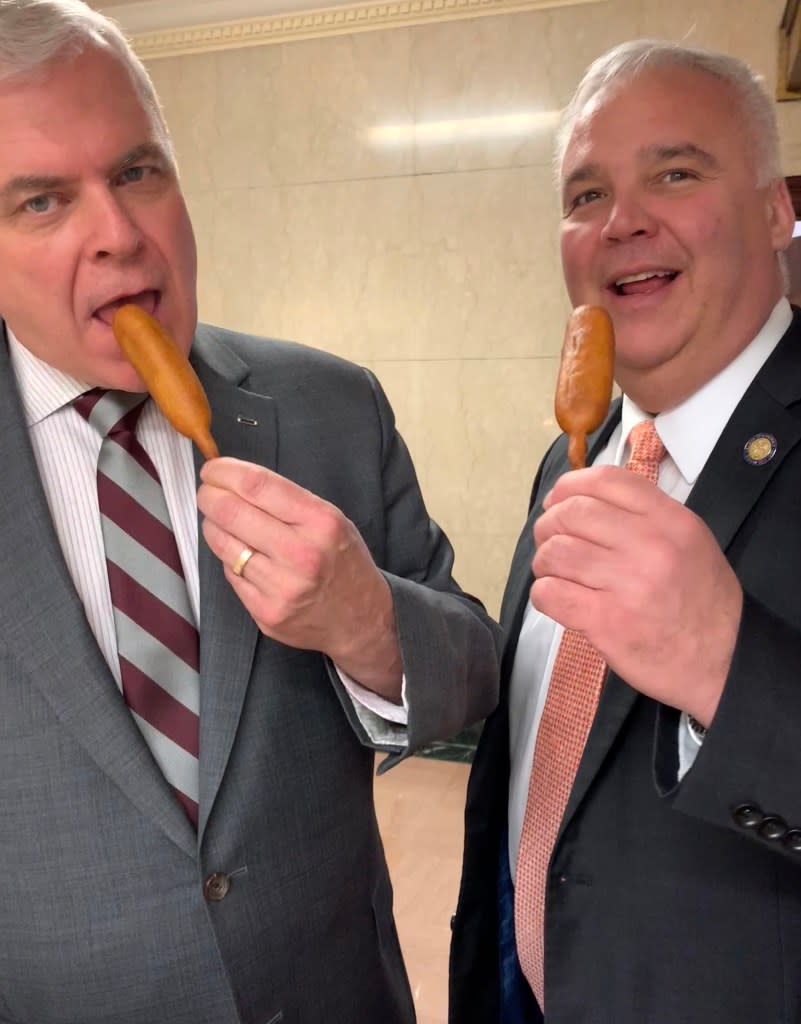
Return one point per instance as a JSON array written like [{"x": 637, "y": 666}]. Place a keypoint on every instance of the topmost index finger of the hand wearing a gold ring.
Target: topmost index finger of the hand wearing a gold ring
[{"x": 263, "y": 488}]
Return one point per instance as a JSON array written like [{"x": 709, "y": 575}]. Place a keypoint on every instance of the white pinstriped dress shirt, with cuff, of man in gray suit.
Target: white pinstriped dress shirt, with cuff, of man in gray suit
[{"x": 67, "y": 447}]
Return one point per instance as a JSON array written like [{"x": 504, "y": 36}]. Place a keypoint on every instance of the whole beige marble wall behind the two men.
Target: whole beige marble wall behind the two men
[{"x": 435, "y": 265}]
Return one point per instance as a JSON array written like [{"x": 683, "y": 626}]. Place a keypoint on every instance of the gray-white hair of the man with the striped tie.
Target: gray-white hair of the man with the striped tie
[{"x": 35, "y": 33}]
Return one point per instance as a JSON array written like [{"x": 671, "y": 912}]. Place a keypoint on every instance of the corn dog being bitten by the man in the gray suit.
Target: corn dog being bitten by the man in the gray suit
[{"x": 167, "y": 375}]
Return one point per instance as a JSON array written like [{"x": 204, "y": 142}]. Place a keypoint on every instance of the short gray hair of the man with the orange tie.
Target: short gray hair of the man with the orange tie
[{"x": 628, "y": 60}]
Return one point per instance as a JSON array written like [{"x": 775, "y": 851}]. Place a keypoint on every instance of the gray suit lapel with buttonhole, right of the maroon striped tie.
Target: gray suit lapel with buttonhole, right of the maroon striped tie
[{"x": 245, "y": 426}]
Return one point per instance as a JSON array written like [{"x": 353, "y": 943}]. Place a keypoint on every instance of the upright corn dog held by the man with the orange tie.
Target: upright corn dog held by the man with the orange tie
[{"x": 584, "y": 388}]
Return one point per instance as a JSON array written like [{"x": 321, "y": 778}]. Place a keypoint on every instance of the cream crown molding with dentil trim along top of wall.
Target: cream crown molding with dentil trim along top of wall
[{"x": 333, "y": 21}]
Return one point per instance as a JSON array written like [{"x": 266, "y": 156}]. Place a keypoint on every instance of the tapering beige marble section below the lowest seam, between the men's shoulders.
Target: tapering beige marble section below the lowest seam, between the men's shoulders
[{"x": 477, "y": 432}]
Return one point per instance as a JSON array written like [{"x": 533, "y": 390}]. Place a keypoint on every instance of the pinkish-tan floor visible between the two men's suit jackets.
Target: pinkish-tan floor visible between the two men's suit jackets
[{"x": 420, "y": 810}]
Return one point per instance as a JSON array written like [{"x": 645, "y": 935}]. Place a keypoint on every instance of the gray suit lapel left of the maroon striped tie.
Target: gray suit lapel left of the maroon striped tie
[{"x": 44, "y": 624}]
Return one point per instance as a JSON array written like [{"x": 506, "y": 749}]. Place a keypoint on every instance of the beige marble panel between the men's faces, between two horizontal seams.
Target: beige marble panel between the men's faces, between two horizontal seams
[{"x": 439, "y": 267}]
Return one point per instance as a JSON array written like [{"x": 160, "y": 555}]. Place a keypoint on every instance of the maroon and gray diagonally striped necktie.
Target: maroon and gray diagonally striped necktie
[{"x": 157, "y": 636}]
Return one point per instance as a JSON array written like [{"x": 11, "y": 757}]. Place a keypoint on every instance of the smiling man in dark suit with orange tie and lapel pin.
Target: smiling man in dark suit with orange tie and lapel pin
[{"x": 669, "y": 891}]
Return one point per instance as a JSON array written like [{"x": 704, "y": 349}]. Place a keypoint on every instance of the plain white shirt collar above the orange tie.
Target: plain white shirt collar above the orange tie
[{"x": 691, "y": 432}]
